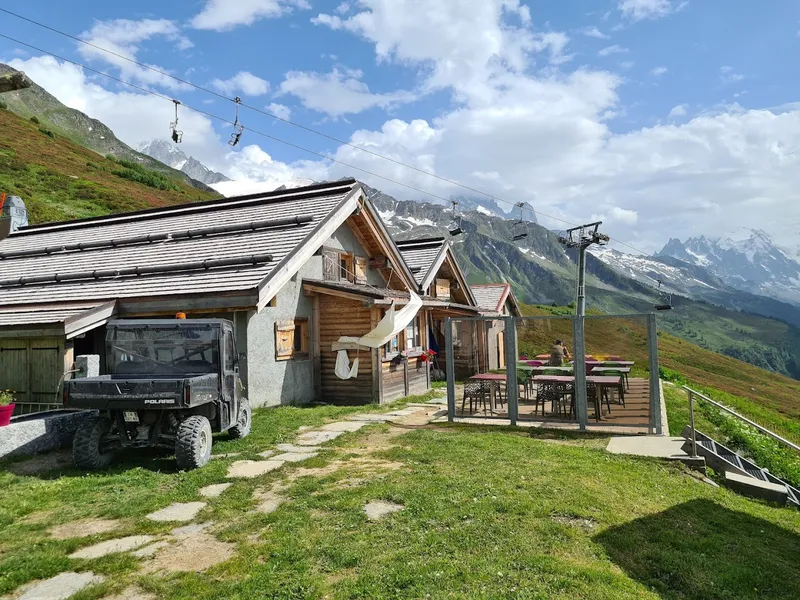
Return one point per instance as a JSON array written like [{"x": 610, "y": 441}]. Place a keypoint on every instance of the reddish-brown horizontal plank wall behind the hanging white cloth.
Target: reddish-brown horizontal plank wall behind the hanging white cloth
[{"x": 338, "y": 317}]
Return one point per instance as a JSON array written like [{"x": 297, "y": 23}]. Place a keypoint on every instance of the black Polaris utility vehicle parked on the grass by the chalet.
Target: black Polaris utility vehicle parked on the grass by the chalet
[{"x": 170, "y": 384}]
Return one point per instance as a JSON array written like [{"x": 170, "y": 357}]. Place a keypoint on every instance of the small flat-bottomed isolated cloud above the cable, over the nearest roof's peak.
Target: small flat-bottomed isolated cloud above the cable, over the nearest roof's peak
[{"x": 338, "y": 93}]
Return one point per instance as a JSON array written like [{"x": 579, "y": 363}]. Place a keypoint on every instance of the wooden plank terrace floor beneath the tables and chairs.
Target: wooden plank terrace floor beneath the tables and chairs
[{"x": 635, "y": 415}]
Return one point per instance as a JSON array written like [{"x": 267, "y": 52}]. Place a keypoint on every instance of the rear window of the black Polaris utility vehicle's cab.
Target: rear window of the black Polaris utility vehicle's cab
[{"x": 150, "y": 350}]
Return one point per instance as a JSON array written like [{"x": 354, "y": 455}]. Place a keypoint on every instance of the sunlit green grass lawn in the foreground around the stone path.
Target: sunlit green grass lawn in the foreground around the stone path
[{"x": 489, "y": 513}]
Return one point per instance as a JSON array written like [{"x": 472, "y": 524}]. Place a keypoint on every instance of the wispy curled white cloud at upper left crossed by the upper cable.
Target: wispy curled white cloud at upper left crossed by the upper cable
[{"x": 123, "y": 37}]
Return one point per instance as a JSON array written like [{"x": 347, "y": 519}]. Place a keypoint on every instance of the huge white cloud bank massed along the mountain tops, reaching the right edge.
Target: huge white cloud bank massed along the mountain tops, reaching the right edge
[{"x": 546, "y": 130}]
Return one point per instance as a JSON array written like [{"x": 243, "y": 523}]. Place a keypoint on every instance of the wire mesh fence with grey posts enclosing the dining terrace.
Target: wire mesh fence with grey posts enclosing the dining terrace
[{"x": 561, "y": 371}]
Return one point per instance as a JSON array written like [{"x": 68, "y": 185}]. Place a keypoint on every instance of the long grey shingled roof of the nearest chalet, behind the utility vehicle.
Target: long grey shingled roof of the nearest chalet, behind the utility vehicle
[{"x": 204, "y": 248}]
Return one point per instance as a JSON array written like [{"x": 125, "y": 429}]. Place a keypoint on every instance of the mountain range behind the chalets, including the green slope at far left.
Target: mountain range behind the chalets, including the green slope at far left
[{"x": 711, "y": 310}]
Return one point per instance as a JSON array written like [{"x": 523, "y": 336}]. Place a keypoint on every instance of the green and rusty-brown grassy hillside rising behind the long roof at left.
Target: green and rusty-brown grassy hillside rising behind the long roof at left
[{"x": 59, "y": 179}]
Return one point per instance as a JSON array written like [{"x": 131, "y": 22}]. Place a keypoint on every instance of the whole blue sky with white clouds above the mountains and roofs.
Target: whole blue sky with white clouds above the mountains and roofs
[{"x": 663, "y": 117}]
